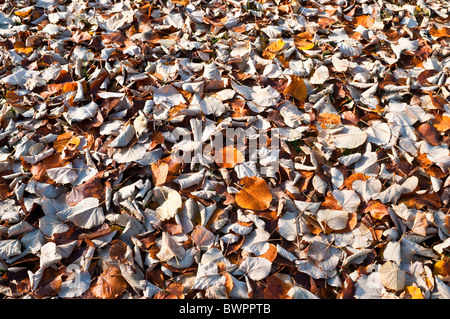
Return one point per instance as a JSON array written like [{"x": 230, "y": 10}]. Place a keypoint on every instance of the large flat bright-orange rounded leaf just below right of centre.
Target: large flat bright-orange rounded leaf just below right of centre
[{"x": 255, "y": 194}]
